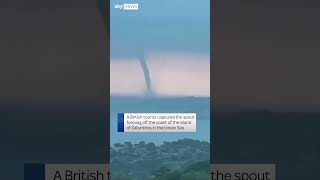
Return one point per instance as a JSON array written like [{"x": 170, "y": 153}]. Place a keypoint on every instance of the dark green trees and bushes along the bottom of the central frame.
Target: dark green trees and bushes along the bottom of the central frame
[{"x": 181, "y": 159}]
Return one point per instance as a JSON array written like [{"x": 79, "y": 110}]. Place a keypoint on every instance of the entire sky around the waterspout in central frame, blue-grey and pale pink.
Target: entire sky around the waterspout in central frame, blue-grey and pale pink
[{"x": 174, "y": 38}]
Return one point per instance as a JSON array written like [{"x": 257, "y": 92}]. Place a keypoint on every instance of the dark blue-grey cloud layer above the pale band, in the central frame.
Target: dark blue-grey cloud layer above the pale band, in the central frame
[{"x": 160, "y": 25}]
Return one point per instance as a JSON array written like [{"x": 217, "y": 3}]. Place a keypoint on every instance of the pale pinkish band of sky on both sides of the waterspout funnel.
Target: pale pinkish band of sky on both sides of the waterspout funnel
[{"x": 171, "y": 74}]
